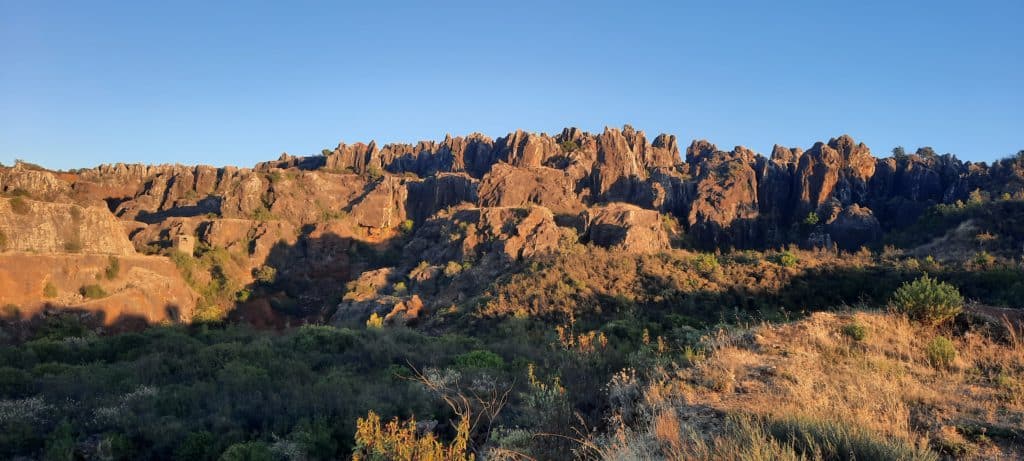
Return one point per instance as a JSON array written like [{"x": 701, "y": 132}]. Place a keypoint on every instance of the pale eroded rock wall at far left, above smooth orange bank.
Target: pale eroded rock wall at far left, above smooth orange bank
[{"x": 61, "y": 228}]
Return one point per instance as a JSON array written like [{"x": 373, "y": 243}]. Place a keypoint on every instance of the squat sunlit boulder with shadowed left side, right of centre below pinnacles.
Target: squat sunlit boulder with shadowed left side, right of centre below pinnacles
[{"x": 628, "y": 228}]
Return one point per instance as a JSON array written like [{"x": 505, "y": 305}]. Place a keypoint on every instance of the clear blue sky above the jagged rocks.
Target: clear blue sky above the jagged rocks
[{"x": 234, "y": 83}]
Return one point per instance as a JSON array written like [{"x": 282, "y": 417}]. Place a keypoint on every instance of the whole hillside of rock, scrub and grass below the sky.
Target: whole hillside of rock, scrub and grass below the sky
[{"x": 532, "y": 297}]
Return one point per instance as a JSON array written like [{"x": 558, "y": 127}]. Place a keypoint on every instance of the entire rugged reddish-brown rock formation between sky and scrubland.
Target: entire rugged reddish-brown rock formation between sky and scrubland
[{"x": 286, "y": 236}]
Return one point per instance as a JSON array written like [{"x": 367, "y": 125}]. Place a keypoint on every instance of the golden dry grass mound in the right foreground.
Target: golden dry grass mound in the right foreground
[{"x": 807, "y": 391}]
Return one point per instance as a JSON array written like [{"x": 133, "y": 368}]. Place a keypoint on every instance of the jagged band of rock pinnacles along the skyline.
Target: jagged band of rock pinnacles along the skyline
[{"x": 736, "y": 198}]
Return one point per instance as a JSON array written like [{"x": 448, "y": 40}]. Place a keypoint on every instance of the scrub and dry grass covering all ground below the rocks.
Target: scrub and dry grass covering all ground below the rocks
[{"x": 588, "y": 353}]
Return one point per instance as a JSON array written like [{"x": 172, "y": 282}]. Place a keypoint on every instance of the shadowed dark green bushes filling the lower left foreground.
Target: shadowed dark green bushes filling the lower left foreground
[{"x": 198, "y": 393}]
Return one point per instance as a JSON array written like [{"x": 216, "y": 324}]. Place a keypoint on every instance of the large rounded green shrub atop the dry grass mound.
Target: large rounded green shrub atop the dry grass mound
[{"x": 928, "y": 301}]
